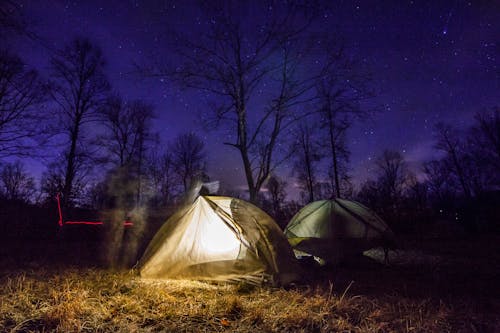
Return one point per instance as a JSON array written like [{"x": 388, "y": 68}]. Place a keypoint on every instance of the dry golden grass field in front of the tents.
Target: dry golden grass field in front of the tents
[{"x": 428, "y": 287}]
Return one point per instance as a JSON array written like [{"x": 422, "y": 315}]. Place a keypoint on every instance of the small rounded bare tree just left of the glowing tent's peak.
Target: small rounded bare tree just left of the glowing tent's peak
[{"x": 188, "y": 158}]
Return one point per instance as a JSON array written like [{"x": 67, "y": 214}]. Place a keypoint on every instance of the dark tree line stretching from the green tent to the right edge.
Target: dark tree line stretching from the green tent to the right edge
[{"x": 462, "y": 186}]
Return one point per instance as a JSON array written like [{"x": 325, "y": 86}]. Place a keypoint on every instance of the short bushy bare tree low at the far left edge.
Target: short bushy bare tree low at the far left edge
[{"x": 16, "y": 183}]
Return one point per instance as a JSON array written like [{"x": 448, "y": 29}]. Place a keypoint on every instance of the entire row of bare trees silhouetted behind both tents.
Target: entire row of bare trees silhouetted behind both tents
[{"x": 284, "y": 89}]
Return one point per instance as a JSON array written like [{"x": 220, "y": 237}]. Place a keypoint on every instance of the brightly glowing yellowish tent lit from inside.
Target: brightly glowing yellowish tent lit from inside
[{"x": 220, "y": 238}]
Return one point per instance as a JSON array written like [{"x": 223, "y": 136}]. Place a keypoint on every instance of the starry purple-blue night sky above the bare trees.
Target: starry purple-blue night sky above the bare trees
[{"x": 431, "y": 61}]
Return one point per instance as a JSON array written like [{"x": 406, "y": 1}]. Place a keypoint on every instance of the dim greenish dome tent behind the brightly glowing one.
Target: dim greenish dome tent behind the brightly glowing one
[{"x": 333, "y": 230}]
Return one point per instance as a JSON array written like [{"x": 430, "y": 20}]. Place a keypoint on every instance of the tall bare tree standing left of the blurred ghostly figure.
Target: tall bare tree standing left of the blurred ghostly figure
[{"x": 79, "y": 90}]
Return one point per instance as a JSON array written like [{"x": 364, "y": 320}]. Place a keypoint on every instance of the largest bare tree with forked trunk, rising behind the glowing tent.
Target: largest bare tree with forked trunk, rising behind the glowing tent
[{"x": 238, "y": 62}]
